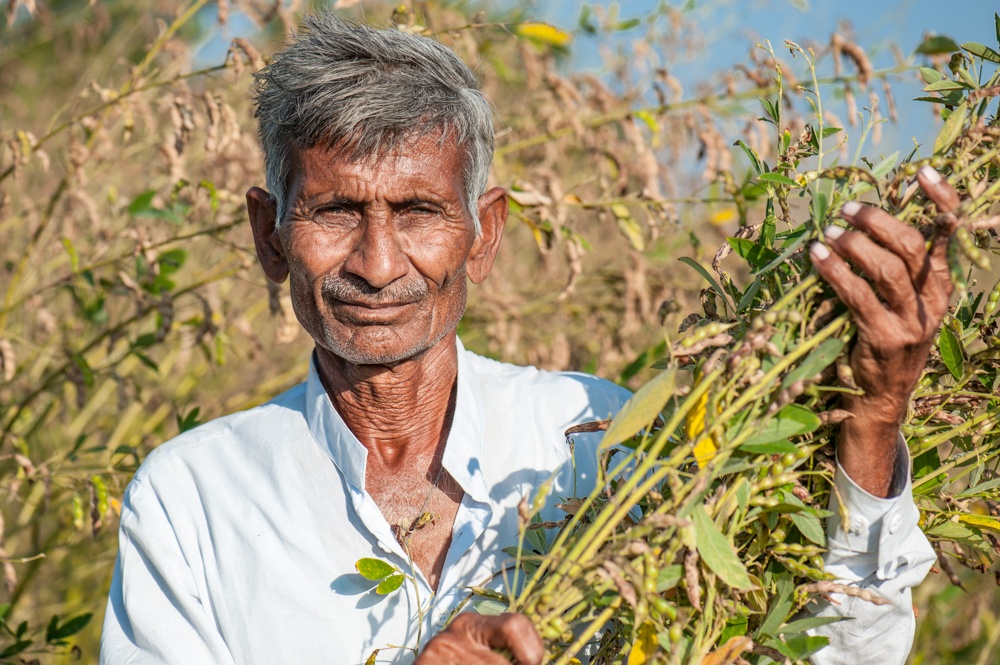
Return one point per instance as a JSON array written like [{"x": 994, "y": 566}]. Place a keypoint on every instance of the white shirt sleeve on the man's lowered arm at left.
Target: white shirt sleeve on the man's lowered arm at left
[{"x": 155, "y": 614}]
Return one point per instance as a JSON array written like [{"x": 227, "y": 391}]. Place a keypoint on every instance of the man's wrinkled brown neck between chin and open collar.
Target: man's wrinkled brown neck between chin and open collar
[{"x": 399, "y": 412}]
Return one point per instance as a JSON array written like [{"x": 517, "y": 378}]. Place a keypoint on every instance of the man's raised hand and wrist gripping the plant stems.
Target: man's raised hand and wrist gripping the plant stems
[{"x": 896, "y": 320}]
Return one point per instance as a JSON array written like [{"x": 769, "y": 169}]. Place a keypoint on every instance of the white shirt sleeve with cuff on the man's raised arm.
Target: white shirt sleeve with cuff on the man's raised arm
[{"x": 874, "y": 544}]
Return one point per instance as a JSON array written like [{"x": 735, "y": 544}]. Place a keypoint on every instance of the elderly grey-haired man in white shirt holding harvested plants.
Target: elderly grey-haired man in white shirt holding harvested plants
[{"x": 239, "y": 539}]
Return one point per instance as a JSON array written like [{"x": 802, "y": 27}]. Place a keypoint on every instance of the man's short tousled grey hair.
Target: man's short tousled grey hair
[{"x": 366, "y": 91}]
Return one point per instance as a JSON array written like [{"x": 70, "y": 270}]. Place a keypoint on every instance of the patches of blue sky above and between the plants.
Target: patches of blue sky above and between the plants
[{"x": 731, "y": 27}]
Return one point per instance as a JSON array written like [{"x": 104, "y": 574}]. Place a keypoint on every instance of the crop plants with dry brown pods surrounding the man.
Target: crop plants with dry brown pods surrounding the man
[{"x": 656, "y": 239}]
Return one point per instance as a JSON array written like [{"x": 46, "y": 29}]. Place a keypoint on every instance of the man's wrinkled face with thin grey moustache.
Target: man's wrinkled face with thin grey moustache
[{"x": 378, "y": 251}]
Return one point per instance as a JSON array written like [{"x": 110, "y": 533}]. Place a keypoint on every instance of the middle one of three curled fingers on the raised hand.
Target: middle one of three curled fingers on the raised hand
[{"x": 888, "y": 272}]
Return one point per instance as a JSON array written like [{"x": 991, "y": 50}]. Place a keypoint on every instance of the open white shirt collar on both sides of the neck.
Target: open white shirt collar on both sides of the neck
[{"x": 463, "y": 450}]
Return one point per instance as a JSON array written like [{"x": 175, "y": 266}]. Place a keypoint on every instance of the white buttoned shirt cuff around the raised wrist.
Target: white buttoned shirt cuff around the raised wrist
[{"x": 870, "y": 534}]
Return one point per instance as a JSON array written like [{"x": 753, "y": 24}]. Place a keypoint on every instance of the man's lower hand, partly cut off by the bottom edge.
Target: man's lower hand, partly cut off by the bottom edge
[{"x": 472, "y": 639}]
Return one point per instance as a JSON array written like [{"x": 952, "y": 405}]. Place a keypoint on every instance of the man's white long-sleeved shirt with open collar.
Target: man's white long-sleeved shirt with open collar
[{"x": 239, "y": 539}]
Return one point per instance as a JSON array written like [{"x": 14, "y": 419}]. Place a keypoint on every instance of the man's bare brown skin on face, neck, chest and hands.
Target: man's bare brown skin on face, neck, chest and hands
[{"x": 378, "y": 254}]
